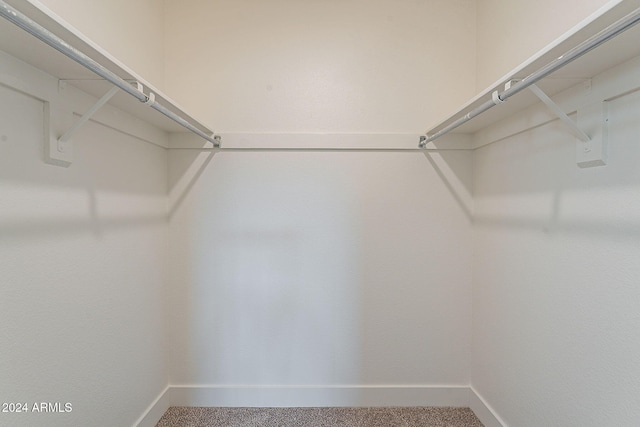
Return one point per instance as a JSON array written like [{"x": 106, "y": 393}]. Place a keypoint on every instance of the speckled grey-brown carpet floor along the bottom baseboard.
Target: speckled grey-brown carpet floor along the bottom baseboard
[{"x": 317, "y": 417}]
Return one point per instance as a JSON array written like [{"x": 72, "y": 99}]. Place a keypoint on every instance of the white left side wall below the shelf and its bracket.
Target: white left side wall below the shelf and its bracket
[{"x": 82, "y": 256}]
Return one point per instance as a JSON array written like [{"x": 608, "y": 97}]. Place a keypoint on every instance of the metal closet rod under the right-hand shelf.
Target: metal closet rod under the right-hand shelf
[{"x": 591, "y": 43}]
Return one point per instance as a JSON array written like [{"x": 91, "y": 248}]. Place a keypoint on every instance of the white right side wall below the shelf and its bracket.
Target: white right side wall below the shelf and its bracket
[{"x": 555, "y": 296}]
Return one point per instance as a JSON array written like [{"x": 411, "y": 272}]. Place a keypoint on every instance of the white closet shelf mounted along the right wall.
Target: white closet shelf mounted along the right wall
[{"x": 615, "y": 51}]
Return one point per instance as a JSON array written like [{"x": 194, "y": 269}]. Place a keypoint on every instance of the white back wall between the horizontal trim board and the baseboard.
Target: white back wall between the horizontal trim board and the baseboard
[{"x": 318, "y": 269}]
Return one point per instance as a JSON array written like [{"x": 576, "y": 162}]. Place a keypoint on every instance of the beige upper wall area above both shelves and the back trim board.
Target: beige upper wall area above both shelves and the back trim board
[{"x": 351, "y": 66}]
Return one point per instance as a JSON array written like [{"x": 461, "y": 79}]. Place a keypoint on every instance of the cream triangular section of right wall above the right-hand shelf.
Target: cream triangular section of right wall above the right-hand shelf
[{"x": 509, "y": 32}]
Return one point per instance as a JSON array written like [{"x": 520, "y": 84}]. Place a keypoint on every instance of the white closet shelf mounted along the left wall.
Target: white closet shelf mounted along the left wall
[{"x": 24, "y": 46}]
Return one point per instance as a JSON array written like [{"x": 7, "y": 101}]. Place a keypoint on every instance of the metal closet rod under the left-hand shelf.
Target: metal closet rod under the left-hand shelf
[{"x": 37, "y": 30}]
